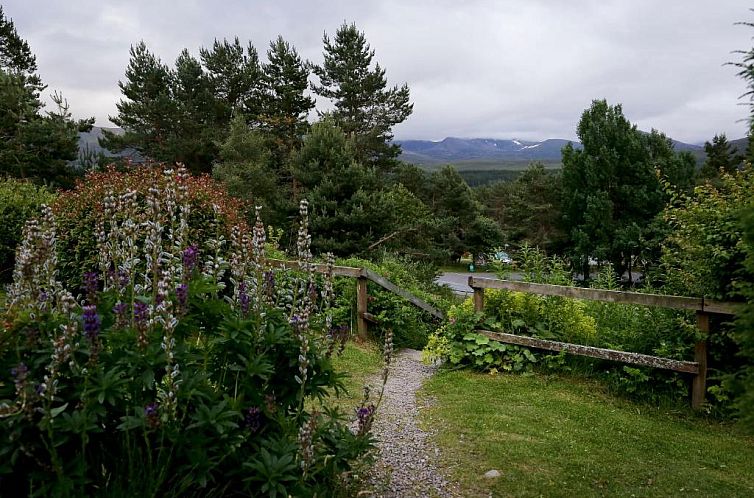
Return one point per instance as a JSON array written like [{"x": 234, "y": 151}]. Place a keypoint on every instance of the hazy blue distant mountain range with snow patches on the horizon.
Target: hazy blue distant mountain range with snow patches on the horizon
[{"x": 486, "y": 153}]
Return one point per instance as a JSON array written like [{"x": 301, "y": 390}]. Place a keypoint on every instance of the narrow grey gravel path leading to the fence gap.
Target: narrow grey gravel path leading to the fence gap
[{"x": 406, "y": 465}]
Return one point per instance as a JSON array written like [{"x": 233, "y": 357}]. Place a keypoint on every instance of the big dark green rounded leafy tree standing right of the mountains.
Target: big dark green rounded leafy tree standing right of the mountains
[{"x": 610, "y": 188}]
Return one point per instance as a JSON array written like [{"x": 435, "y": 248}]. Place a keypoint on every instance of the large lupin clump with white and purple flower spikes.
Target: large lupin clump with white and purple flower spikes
[{"x": 180, "y": 369}]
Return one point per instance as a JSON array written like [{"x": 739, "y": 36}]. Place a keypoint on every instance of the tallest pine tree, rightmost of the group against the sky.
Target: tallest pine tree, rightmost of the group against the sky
[{"x": 365, "y": 109}]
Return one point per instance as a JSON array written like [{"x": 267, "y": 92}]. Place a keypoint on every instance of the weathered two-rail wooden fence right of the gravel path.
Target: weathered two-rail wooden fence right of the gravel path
[{"x": 702, "y": 306}]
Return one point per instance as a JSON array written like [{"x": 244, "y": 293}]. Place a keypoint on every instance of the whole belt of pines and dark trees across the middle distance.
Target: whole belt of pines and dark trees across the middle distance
[{"x": 249, "y": 121}]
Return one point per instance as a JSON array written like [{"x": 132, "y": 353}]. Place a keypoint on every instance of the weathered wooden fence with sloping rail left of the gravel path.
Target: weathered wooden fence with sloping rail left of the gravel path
[{"x": 363, "y": 276}]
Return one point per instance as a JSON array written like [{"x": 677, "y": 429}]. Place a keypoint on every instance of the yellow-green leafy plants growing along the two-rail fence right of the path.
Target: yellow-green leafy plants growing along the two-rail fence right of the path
[{"x": 641, "y": 329}]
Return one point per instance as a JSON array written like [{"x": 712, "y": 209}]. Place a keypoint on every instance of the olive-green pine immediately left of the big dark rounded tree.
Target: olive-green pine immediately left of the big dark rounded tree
[{"x": 528, "y": 208}]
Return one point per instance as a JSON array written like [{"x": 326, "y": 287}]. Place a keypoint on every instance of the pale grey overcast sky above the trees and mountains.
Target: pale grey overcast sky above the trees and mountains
[{"x": 494, "y": 69}]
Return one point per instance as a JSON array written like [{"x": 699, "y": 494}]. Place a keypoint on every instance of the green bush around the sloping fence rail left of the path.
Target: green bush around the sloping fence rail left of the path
[{"x": 410, "y": 325}]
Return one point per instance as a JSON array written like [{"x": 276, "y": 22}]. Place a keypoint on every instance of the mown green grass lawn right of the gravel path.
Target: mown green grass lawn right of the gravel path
[{"x": 564, "y": 436}]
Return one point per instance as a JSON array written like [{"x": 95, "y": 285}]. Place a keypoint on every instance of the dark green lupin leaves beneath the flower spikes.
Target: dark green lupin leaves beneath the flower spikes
[{"x": 232, "y": 366}]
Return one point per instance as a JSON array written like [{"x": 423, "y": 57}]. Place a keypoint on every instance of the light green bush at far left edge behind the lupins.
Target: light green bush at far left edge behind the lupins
[{"x": 19, "y": 201}]
